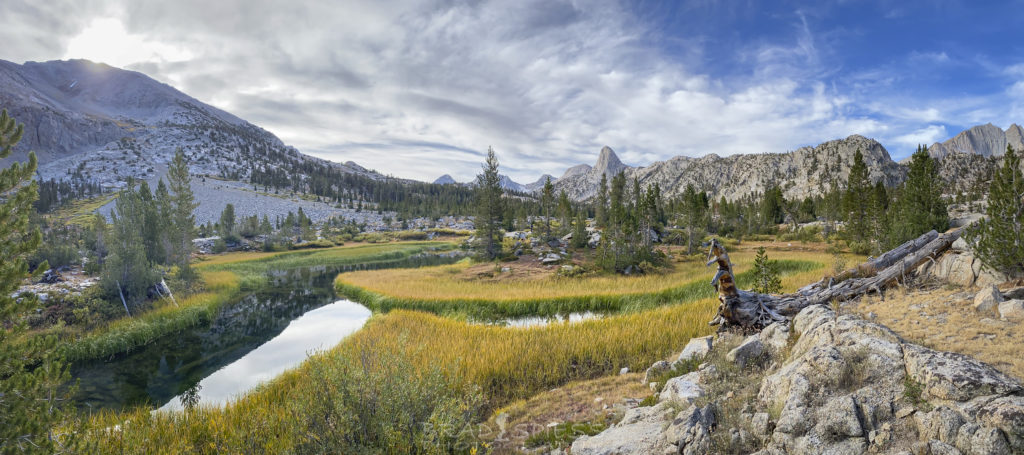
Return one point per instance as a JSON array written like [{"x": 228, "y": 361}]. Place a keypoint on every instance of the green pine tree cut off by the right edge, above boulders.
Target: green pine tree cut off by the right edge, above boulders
[{"x": 999, "y": 240}]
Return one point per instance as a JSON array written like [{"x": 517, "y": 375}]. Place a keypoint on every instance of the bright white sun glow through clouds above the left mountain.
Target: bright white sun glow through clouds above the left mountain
[{"x": 106, "y": 40}]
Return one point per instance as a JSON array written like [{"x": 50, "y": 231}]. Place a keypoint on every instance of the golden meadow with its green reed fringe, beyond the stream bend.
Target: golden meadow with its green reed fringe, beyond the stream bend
[{"x": 450, "y": 291}]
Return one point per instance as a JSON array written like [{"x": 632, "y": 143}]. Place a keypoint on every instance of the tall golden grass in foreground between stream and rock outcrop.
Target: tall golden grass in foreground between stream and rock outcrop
[{"x": 510, "y": 365}]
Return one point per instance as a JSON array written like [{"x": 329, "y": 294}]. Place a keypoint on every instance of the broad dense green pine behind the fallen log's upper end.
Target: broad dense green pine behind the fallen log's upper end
[{"x": 920, "y": 208}]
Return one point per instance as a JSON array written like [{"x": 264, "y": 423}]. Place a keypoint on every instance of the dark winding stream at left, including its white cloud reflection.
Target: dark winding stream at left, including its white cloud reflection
[{"x": 248, "y": 343}]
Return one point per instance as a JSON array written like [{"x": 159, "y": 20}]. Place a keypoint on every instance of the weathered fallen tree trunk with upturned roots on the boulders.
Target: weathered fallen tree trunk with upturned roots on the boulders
[{"x": 752, "y": 310}]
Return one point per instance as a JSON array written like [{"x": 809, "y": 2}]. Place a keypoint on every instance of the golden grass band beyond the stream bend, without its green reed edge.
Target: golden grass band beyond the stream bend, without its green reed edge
[{"x": 449, "y": 282}]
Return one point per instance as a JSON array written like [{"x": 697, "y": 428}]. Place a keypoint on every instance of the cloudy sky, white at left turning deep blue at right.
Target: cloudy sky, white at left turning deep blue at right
[{"x": 421, "y": 89}]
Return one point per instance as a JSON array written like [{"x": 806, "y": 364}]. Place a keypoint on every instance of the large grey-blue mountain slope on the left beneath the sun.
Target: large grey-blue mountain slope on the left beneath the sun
[{"x": 92, "y": 121}]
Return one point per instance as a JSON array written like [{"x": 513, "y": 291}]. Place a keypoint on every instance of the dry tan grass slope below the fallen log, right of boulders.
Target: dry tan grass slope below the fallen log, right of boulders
[{"x": 938, "y": 319}]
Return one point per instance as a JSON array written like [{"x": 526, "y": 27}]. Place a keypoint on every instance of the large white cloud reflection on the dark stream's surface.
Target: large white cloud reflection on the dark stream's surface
[{"x": 321, "y": 328}]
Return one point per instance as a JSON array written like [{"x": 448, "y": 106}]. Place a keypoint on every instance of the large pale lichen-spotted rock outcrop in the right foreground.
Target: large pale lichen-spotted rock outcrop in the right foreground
[{"x": 845, "y": 386}]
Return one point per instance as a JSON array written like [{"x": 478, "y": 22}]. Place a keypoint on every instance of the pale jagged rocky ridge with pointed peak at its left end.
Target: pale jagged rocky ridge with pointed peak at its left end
[{"x": 803, "y": 173}]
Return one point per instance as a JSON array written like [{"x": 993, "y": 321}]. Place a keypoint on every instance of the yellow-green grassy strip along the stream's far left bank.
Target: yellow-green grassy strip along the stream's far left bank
[{"x": 225, "y": 279}]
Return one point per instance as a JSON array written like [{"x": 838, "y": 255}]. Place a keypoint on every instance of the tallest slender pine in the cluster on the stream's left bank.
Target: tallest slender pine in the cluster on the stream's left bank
[{"x": 183, "y": 222}]
